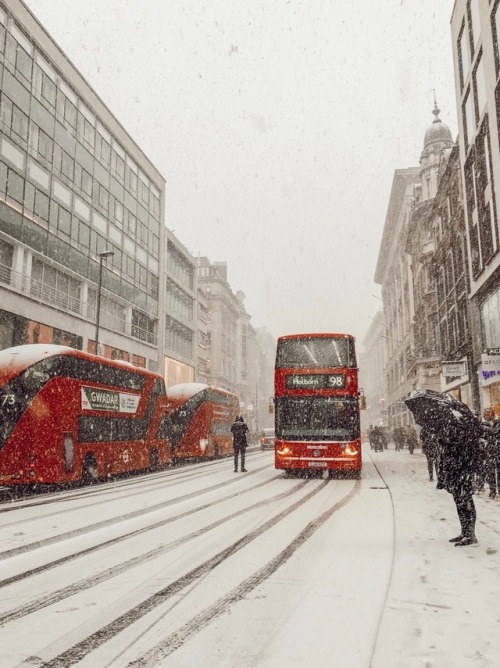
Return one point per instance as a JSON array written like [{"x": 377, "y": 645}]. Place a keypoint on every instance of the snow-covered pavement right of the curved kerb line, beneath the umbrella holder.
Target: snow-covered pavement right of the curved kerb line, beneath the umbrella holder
[{"x": 443, "y": 603}]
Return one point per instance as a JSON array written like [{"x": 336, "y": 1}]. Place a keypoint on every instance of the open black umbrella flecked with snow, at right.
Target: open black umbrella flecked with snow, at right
[{"x": 440, "y": 411}]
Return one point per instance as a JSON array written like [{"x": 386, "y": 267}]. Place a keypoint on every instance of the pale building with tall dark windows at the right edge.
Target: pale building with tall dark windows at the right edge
[{"x": 475, "y": 28}]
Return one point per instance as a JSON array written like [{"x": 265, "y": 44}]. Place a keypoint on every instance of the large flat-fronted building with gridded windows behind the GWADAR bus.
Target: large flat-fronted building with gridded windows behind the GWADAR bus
[{"x": 81, "y": 208}]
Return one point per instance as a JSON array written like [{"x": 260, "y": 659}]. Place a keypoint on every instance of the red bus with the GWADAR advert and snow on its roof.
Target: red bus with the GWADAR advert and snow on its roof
[{"x": 67, "y": 415}]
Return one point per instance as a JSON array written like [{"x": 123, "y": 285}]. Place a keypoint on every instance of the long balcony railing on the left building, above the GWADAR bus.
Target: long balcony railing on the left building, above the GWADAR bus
[{"x": 46, "y": 294}]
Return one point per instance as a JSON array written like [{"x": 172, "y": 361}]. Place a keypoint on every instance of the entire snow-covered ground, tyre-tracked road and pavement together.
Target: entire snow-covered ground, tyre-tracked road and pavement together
[{"x": 199, "y": 566}]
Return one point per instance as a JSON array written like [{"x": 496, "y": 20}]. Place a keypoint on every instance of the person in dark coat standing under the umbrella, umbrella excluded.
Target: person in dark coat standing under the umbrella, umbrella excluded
[{"x": 459, "y": 458}]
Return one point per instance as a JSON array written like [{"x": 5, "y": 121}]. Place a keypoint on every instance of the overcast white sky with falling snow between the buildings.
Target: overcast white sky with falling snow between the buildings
[{"x": 278, "y": 125}]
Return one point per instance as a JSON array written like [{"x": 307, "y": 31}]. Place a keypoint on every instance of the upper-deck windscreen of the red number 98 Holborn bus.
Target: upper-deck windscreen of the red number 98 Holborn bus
[{"x": 316, "y": 352}]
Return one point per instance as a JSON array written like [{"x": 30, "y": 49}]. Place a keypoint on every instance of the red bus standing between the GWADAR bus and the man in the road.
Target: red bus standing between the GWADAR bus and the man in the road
[{"x": 199, "y": 421}]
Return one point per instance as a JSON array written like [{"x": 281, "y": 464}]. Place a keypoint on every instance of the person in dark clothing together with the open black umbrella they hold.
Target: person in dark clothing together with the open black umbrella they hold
[{"x": 458, "y": 432}]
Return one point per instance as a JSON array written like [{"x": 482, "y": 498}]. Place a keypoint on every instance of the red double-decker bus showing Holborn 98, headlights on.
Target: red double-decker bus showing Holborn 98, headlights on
[{"x": 316, "y": 403}]
